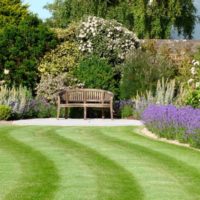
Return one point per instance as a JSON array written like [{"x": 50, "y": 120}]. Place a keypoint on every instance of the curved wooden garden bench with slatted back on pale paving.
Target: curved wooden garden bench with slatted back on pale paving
[{"x": 85, "y": 98}]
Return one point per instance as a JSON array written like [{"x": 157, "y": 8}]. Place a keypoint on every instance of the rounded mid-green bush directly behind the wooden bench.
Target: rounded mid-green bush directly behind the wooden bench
[{"x": 95, "y": 72}]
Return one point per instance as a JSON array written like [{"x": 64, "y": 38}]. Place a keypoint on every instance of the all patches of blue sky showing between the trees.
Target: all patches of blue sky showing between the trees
[{"x": 36, "y": 6}]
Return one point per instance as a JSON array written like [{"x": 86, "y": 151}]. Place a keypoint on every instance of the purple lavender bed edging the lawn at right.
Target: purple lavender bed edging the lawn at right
[{"x": 171, "y": 122}]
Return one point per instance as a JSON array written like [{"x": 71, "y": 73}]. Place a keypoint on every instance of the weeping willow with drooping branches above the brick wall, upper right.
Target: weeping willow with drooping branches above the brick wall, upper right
[{"x": 156, "y": 18}]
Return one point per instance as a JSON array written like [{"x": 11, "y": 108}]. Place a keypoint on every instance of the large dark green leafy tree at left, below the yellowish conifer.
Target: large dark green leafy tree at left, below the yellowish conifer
[{"x": 20, "y": 49}]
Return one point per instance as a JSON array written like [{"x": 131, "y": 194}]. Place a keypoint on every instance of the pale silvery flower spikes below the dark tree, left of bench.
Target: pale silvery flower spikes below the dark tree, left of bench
[{"x": 18, "y": 98}]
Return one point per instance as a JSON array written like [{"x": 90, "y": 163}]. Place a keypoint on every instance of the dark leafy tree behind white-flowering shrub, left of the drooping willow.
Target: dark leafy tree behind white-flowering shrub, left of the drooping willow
[{"x": 67, "y": 11}]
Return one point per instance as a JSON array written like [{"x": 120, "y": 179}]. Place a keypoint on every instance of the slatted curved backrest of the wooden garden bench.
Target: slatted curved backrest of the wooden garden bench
[{"x": 86, "y": 96}]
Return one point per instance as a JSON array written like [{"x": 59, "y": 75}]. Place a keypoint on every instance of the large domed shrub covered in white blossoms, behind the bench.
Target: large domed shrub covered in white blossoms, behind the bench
[{"x": 106, "y": 38}]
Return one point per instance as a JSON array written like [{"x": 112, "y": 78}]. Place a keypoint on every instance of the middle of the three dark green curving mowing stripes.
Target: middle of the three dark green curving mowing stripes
[{"x": 114, "y": 182}]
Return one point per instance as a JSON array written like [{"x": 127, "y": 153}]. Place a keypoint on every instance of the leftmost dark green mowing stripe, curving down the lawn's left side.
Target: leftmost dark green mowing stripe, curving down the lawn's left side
[{"x": 38, "y": 174}]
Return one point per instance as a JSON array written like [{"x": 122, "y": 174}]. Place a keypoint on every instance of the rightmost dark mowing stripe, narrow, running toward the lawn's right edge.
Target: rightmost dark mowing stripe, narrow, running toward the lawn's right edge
[{"x": 188, "y": 176}]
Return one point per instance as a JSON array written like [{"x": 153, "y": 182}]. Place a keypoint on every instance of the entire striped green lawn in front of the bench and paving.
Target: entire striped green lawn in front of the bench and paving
[{"x": 100, "y": 163}]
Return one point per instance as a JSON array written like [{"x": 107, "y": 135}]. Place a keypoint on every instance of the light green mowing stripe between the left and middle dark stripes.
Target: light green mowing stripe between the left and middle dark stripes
[{"x": 77, "y": 179}]
